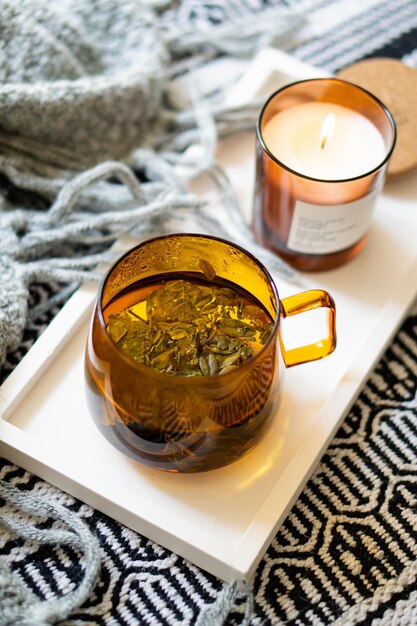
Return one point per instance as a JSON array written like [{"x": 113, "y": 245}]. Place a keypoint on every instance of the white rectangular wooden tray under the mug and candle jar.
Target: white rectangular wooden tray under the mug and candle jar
[{"x": 223, "y": 520}]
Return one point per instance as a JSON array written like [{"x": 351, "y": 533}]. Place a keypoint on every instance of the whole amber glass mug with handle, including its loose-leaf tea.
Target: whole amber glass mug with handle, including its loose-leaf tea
[{"x": 184, "y": 359}]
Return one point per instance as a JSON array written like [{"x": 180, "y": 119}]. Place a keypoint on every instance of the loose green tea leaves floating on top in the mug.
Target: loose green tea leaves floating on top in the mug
[{"x": 189, "y": 328}]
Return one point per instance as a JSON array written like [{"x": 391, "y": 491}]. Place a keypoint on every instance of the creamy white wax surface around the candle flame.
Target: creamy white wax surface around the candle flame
[{"x": 355, "y": 147}]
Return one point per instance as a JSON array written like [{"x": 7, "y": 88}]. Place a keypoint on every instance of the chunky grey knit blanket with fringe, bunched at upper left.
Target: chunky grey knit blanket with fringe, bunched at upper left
[{"x": 88, "y": 109}]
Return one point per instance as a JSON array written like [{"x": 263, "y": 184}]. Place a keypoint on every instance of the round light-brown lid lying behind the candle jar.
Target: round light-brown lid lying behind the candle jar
[{"x": 395, "y": 84}]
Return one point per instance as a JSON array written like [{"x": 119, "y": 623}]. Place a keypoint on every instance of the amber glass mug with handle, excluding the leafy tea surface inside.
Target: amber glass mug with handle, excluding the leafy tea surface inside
[{"x": 193, "y": 423}]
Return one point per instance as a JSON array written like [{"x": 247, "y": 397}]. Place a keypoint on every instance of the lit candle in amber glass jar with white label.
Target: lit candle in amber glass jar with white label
[{"x": 322, "y": 153}]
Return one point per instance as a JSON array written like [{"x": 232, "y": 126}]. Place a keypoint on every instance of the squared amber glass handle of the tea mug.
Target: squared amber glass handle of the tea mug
[{"x": 307, "y": 301}]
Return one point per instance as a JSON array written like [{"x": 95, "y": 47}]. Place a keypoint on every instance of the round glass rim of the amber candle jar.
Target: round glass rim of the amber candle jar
[{"x": 334, "y": 80}]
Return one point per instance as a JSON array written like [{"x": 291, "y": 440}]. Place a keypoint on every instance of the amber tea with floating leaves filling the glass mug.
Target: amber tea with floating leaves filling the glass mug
[{"x": 186, "y": 327}]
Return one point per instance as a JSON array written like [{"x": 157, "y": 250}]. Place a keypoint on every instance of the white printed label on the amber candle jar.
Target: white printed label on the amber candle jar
[{"x": 318, "y": 229}]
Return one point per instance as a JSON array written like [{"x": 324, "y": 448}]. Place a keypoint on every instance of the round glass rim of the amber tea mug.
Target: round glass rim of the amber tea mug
[{"x": 189, "y": 380}]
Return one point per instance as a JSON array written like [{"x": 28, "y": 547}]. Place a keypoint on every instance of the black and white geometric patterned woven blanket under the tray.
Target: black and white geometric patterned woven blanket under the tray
[{"x": 347, "y": 552}]
